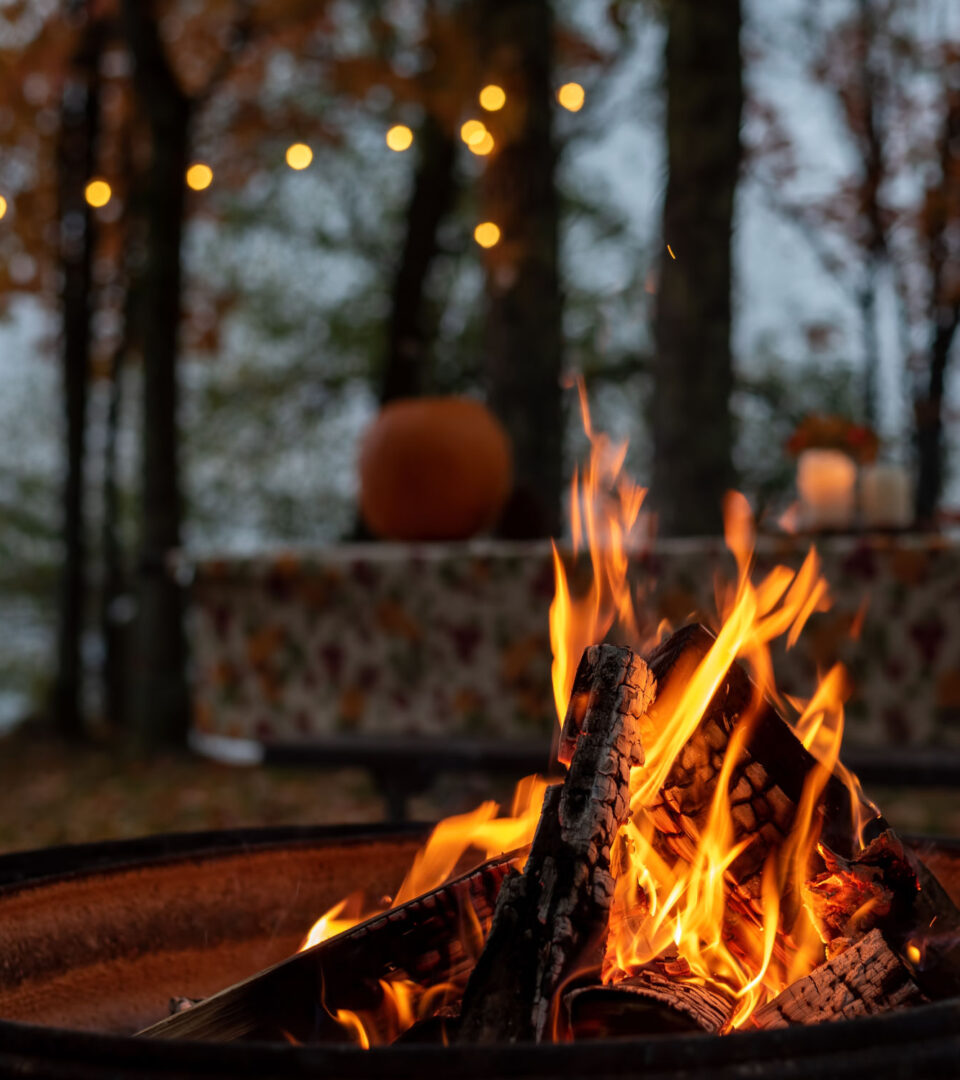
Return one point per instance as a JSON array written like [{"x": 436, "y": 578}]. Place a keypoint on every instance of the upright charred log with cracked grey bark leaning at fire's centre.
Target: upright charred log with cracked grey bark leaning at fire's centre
[{"x": 552, "y": 920}]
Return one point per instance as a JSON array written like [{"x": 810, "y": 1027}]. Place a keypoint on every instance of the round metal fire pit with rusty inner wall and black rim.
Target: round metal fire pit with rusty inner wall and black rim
[{"x": 94, "y": 941}]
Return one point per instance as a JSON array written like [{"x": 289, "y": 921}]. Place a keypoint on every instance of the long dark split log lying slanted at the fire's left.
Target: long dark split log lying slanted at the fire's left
[{"x": 423, "y": 940}]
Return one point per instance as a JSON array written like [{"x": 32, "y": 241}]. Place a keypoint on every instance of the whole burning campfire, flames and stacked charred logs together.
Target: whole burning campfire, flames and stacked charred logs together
[{"x": 707, "y": 863}]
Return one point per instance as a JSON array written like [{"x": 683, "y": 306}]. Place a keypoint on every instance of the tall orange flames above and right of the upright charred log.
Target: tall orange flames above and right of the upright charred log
[{"x": 684, "y": 898}]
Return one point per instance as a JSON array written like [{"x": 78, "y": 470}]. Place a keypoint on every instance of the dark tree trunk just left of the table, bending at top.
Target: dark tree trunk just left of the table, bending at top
[{"x": 160, "y": 700}]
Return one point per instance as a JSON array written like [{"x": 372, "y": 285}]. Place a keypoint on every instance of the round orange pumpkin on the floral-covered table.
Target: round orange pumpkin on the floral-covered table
[{"x": 435, "y": 469}]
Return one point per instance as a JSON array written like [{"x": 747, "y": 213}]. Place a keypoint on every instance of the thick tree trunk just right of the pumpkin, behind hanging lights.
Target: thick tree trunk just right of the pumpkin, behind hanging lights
[{"x": 523, "y": 332}]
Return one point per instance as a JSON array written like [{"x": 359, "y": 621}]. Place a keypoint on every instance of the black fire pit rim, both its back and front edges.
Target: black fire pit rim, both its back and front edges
[{"x": 928, "y": 1033}]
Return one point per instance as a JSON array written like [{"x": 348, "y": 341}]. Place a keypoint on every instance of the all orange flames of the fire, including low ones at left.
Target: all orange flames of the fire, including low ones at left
[{"x": 677, "y": 892}]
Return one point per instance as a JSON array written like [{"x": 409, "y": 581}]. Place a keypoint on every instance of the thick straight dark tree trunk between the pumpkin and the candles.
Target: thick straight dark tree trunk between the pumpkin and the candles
[{"x": 692, "y": 422}]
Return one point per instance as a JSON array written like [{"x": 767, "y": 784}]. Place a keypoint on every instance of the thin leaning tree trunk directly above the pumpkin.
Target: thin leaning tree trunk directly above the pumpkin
[{"x": 405, "y": 373}]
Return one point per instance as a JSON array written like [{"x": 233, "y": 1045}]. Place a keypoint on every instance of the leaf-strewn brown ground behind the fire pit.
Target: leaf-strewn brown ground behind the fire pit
[{"x": 52, "y": 793}]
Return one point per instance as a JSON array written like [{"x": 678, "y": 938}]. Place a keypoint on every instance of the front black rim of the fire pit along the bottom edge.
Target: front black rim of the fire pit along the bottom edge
[{"x": 932, "y": 1034}]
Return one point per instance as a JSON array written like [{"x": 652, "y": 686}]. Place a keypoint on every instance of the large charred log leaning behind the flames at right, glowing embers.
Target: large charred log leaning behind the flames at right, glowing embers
[{"x": 922, "y": 923}]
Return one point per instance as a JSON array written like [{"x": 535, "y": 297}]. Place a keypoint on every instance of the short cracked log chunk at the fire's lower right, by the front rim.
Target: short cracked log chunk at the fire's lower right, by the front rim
[{"x": 866, "y": 979}]
